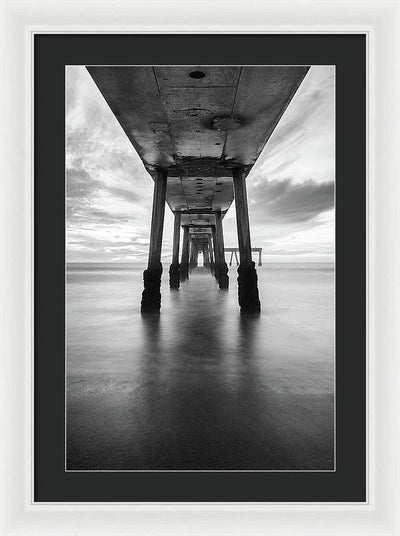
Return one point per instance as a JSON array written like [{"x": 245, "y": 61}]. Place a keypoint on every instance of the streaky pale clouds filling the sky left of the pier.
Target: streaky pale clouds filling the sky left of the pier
[{"x": 108, "y": 191}]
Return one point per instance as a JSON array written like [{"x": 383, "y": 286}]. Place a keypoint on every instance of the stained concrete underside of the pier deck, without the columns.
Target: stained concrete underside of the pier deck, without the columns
[{"x": 198, "y": 122}]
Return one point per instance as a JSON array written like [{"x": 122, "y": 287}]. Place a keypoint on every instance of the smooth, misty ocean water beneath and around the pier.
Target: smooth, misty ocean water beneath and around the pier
[{"x": 200, "y": 386}]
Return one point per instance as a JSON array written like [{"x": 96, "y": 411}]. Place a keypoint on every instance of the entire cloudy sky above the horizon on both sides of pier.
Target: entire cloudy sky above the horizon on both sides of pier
[{"x": 290, "y": 189}]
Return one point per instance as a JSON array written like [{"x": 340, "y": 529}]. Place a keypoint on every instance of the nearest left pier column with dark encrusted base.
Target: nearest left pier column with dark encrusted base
[{"x": 151, "y": 296}]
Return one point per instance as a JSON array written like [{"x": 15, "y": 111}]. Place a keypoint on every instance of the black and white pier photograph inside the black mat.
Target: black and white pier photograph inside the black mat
[{"x": 200, "y": 268}]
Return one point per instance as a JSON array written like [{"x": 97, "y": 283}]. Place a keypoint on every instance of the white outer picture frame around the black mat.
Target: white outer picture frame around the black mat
[{"x": 379, "y": 20}]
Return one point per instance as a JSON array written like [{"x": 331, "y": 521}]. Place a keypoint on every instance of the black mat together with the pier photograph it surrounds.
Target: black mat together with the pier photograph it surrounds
[{"x": 178, "y": 383}]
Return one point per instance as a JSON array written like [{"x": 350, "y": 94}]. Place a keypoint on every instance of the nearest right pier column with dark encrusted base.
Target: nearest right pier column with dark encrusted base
[{"x": 247, "y": 276}]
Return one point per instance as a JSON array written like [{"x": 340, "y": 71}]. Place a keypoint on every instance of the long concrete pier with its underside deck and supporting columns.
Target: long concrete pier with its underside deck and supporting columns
[{"x": 199, "y": 130}]
